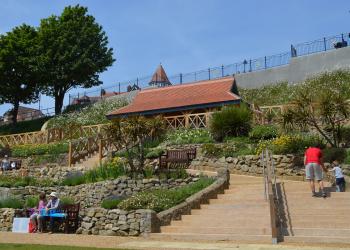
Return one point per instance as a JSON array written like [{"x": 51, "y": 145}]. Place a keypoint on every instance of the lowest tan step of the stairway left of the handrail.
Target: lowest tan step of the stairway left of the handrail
[{"x": 214, "y": 237}]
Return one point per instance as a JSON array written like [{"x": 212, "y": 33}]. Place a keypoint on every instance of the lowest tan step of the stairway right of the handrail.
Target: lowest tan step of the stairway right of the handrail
[{"x": 317, "y": 239}]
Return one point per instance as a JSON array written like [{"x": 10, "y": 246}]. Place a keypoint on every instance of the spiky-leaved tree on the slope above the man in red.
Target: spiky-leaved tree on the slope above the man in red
[{"x": 321, "y": 103}]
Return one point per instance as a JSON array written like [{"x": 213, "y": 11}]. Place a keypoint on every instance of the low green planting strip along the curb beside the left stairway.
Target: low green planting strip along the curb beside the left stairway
[{"x": 162, "y": 199}]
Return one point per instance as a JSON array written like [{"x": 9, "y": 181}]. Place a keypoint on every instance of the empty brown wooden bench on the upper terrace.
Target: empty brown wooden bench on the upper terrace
[{"x": 181, "y": 157}]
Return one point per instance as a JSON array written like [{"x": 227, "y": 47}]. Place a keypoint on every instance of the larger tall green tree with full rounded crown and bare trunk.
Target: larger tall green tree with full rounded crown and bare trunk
[{"x": 74, "y": 52}]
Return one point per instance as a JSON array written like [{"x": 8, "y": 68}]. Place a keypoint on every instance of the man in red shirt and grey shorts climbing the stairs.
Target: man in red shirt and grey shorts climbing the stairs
[{"x": 313, "y": 169}]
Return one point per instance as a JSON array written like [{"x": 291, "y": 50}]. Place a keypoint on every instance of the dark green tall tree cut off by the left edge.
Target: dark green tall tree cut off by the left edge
[{"x": 18, "y": 67}]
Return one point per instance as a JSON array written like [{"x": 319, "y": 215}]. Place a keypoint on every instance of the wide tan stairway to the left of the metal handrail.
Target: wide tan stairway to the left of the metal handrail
[{"x": 240, "y": 214}]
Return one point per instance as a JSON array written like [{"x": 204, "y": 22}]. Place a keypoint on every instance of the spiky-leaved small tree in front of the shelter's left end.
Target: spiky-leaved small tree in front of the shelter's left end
[{"x": 131, "y": 134}]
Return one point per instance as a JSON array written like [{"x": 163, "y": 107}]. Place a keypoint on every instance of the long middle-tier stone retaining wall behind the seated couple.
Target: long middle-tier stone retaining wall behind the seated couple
[{"x": 91, "y": 195}]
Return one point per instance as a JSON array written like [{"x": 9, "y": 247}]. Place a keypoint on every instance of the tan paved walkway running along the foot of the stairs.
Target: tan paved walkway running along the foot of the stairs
[{"x": 142, "y": 243}]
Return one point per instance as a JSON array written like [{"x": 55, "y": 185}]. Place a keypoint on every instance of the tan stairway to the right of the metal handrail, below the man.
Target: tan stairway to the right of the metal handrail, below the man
[{"x": 314, "y": 220}]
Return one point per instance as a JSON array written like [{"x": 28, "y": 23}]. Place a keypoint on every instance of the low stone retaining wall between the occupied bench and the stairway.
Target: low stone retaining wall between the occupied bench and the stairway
[{"x": 116, "y": 222}]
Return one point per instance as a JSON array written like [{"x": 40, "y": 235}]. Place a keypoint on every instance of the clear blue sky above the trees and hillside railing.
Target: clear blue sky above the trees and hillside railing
[{"x": 189, "y": 35}]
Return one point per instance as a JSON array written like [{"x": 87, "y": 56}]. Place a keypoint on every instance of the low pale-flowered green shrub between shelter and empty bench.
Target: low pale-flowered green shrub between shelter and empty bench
[{"x": 188, "y": 136}]
